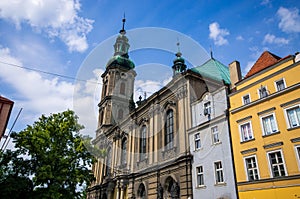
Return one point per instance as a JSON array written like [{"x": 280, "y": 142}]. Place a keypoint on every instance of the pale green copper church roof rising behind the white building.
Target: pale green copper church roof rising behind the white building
[{"x": 213, "y": 69}]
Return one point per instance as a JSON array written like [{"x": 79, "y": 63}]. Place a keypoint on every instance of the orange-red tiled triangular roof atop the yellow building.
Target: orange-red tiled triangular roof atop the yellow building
[{"x": 265, "y": 60}]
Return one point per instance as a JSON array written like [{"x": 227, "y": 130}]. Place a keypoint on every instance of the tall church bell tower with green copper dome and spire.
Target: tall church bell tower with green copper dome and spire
[{"x": 118, "y": 85}]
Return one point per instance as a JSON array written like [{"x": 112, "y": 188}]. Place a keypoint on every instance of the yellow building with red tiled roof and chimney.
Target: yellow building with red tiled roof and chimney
[{"x": 265, "y": 127}]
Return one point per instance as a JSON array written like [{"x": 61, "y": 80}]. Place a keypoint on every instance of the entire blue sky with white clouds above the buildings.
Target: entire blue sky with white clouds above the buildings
[{"x": 65, "y": 39}]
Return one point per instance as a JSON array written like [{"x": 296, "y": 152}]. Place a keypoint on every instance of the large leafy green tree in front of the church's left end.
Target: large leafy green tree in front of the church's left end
[{"x": 54, "y": 156}]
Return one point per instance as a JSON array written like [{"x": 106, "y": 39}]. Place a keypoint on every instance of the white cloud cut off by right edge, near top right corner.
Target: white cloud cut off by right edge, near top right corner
[{"x": 289, "y": 20}]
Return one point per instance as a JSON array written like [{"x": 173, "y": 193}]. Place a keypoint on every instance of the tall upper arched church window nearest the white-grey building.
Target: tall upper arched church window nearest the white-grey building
[{"x": 169, "y": 129}]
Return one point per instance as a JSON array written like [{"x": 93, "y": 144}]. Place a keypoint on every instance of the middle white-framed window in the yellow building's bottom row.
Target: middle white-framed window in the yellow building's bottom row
[{"x": 277, "y": 164}]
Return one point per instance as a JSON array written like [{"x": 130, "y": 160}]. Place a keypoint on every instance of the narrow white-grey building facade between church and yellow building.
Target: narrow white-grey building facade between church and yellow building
[{"x": 212, "y": 165}]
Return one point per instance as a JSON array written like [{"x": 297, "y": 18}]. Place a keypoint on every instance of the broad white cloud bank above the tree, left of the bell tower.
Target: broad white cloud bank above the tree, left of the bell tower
[{"x": 44, "y": 95}]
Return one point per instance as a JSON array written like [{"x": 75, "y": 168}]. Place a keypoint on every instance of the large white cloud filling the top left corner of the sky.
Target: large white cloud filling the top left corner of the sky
[{"x": 57, "y": 18}]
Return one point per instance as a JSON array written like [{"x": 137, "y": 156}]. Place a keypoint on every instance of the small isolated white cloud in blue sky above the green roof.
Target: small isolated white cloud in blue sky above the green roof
[{"x": 217, "y": 34}]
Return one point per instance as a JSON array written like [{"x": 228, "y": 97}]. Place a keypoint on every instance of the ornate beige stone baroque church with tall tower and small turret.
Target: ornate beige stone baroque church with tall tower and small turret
[{"x": 147, "y": 146}]
